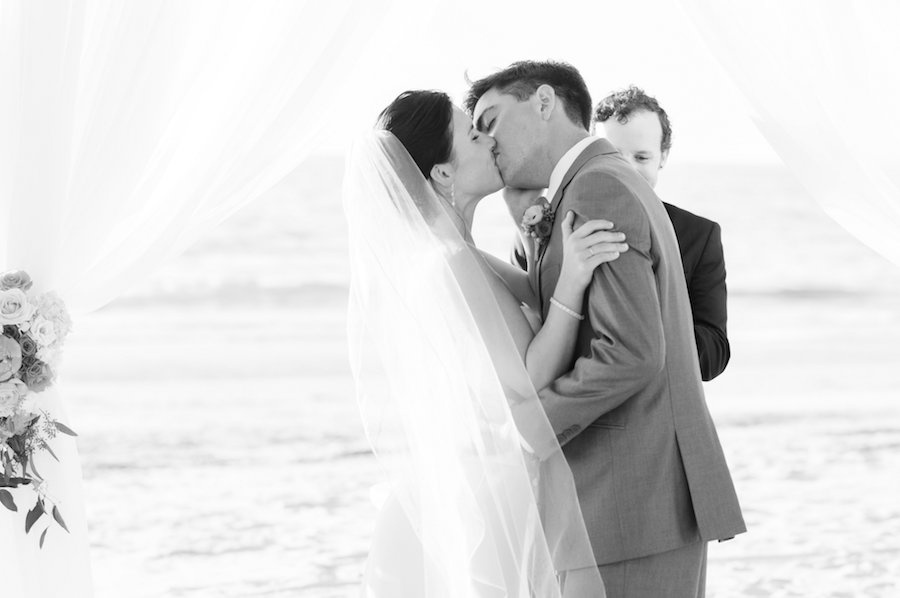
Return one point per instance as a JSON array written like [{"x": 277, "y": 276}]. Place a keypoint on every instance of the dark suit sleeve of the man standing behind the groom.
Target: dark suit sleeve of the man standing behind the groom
[{"x": 709, "y": 296}]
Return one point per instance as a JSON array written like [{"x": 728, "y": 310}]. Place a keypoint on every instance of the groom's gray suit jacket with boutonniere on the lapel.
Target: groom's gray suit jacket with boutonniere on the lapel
[{"x": 631, "y": 414}]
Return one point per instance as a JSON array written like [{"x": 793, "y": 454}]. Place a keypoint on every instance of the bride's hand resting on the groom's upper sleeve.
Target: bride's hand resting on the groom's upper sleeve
[{"x": 586, "y": 247}]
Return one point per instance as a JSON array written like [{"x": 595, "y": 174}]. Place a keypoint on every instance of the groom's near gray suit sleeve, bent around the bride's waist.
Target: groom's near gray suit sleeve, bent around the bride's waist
[{"x": 622, "y": 314}]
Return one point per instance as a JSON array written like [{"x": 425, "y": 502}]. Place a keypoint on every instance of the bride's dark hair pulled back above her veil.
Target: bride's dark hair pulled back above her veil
[{"x": 421, "y": 120}]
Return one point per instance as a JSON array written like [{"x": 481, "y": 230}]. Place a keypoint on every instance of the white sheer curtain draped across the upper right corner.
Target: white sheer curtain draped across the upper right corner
[{"x": 822, "y": 80}]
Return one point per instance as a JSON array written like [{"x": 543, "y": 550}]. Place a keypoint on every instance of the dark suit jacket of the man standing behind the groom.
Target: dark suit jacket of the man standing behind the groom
[{"x": 700, "y": 243}]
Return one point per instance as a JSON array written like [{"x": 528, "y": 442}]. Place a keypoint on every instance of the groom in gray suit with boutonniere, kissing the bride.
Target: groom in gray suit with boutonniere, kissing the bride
[{"x": 631, "y": 416}]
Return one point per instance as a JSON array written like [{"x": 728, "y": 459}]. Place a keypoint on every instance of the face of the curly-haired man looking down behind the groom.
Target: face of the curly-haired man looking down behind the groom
[{"x": 639, "y": 140}]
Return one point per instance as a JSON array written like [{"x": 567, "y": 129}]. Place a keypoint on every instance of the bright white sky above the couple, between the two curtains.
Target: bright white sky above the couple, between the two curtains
[{"x": 652, "y": 44}]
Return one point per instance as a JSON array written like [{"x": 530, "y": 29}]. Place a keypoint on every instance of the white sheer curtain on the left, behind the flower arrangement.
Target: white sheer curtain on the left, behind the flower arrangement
[{"x": 126, "y": 130}]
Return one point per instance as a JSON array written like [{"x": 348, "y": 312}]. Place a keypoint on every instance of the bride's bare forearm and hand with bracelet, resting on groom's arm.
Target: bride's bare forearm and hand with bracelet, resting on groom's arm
[{"x": 550, "y": 353}]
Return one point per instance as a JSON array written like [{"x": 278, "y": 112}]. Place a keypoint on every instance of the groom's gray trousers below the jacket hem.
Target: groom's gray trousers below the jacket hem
[{"x": 679, "y": 573}]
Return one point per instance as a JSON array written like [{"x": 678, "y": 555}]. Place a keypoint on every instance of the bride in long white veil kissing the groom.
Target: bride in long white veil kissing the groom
[{"x": 447, "y": 355}]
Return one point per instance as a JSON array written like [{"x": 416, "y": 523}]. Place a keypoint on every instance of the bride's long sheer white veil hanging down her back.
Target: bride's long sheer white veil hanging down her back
[{"x": 445, "y": 399}]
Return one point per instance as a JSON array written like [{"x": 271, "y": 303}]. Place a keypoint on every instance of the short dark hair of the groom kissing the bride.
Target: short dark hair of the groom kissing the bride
[{"x": 521, "y": 80}]
